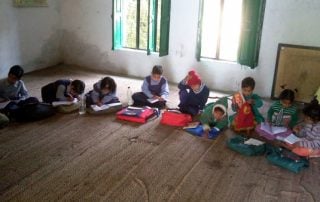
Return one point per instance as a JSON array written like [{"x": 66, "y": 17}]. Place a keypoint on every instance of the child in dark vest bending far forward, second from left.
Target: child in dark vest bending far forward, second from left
[{"x": 62, "y": 90}]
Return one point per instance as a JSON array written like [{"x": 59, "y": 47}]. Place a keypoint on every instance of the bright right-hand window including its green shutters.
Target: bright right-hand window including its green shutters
[{"x": 230, "y": 30}]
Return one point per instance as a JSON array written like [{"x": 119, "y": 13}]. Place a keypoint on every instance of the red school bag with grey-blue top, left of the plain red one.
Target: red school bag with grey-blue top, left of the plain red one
[{"x": 137, "y": 114}]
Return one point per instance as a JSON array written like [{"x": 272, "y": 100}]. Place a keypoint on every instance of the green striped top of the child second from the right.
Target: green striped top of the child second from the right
[{"x": 278, "y": 115}]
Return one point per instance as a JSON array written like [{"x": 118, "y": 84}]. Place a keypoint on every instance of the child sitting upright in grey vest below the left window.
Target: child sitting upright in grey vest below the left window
[{"x": 154, "y": 86}]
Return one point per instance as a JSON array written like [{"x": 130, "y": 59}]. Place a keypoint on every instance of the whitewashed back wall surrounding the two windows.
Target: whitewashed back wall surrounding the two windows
[{"x": 87, "y": 42}]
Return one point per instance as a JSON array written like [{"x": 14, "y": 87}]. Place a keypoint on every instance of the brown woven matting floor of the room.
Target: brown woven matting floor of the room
[{"x": 97, "y": 158}]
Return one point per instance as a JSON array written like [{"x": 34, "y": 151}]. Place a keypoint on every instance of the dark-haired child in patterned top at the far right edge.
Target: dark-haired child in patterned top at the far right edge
[{"x": 309, "y": 145}]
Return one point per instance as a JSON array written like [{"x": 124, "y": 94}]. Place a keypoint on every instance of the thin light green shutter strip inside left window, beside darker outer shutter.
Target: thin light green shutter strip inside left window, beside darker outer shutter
[{"x": 152, "y": 26}]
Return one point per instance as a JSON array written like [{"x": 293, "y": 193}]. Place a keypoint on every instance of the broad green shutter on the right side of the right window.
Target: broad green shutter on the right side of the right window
[{"x": 252, "y": 20}]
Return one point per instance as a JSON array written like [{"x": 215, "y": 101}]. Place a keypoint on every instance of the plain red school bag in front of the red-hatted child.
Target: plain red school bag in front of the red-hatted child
[{"x": 175, "y": 118}]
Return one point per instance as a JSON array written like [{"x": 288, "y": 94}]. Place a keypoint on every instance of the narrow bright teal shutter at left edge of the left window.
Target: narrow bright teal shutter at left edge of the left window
[{"x": 116, "y": 24}]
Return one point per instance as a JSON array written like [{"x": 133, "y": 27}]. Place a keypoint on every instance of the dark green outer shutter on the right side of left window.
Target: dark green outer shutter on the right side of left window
[{"x": 164, "y": 27}]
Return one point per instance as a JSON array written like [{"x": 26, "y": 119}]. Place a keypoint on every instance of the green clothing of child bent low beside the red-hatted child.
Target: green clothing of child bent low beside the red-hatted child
[{"x": 207, "y": 118}]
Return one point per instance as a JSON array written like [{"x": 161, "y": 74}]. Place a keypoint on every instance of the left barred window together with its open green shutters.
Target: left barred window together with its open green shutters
[{"x": 142, "y": 25}]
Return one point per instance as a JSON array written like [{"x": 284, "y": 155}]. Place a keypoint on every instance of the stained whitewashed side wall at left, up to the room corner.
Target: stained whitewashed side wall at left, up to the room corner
[{"x": 29, "y": 36}]
